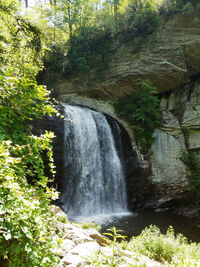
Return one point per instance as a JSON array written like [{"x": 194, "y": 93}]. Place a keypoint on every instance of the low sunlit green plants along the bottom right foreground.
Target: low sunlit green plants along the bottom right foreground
[{"x": 167, "y": 248}]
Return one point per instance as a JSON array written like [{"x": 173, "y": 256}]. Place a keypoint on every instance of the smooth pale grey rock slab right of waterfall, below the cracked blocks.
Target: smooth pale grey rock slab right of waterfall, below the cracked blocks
[{"x": 169, "y": 172}]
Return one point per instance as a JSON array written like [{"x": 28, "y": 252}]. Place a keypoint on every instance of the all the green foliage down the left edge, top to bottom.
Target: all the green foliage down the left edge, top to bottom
[{"x": 27, "y": 235}]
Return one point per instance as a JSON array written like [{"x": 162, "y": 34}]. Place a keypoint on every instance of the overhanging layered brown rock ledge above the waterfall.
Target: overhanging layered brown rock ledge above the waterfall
[{"x": 169, "y": 59}]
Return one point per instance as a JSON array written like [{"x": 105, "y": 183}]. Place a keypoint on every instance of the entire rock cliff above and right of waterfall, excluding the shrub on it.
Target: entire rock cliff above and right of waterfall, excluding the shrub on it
[{"x": 170, "y": 59}]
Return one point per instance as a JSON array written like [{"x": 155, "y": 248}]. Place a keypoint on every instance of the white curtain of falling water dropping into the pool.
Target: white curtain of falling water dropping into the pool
[{"x": 95, "y": 181}]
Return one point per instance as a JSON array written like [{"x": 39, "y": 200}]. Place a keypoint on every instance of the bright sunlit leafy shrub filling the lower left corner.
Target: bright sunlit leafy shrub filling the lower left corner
[{"x": 27, "y": 235}]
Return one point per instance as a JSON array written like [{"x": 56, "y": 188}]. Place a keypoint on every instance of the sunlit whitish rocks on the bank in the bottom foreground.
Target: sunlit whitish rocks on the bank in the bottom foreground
[{"x": 87, "y": 247}]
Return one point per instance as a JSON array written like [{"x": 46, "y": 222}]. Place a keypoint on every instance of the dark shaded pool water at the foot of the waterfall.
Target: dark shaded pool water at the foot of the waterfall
[{"x": 133, "y": 225}]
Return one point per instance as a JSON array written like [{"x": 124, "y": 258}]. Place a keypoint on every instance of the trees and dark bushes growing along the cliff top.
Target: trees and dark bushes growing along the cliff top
[{"x": 82, "y": 35}]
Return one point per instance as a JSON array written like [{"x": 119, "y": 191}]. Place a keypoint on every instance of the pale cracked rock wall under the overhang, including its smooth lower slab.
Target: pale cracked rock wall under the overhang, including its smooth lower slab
[{"x": 180, "y": 132}]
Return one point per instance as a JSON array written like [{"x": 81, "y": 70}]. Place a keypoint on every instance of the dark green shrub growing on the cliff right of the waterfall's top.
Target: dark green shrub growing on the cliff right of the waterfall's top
[{"x": 141, "y": 109}]
